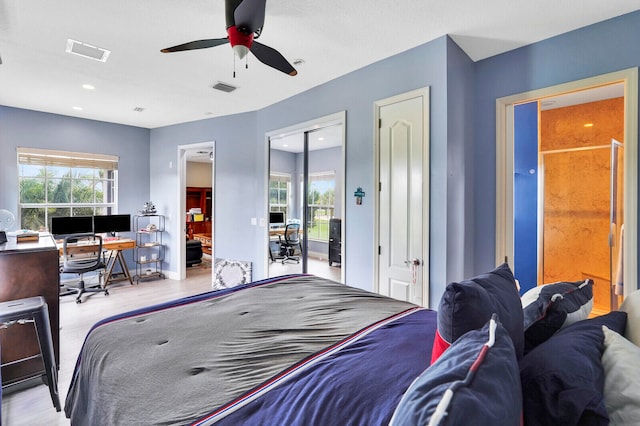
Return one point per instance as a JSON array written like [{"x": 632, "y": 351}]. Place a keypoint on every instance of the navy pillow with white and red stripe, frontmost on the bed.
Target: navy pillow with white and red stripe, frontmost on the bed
[{"x": 490, "y": 395}]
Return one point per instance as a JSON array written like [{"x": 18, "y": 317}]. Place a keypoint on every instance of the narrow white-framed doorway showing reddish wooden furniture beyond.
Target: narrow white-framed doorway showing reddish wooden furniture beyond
[{"x": 196, "y": 171}]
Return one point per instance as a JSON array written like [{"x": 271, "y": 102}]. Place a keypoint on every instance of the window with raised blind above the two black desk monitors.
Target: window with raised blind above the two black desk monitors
[{"x": 60, "y": 183}]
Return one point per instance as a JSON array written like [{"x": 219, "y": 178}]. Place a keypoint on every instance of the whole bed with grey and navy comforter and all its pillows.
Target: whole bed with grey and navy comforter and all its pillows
[{"x": 302, "y": 350}]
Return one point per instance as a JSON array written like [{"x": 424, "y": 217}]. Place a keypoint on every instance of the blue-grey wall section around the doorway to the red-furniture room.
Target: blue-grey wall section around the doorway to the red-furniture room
[{"x": 236, "y": 178}]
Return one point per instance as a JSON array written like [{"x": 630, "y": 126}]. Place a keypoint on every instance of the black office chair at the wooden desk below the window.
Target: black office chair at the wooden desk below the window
[{"x": 82, "y": 253}]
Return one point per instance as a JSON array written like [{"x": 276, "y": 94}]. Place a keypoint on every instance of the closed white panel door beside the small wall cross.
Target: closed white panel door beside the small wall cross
[{"x": 403, "y": 197}]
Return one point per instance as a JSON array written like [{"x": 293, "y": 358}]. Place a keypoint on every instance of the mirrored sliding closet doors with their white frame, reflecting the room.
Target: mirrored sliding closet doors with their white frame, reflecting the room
[{"x": 305, "y": 206}]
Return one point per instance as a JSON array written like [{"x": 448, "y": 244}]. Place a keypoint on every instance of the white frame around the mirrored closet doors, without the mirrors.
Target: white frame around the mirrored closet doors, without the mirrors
[{"x": 338, "y": 118}]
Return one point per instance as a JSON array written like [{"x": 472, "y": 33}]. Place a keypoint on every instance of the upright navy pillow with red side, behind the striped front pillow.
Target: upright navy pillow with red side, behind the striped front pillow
[{"x": 469, "y": 304}]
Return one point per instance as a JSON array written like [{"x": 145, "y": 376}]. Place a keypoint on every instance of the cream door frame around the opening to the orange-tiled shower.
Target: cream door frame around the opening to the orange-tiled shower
[{"x": 505, "y": 166}]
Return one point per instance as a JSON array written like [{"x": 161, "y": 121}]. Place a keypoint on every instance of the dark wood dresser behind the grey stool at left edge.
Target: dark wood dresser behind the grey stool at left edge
[{"x": 28, "y": 269}]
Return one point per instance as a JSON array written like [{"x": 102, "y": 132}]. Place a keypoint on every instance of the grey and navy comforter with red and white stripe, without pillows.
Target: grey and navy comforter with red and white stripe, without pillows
[{"x": 296, "y": 350}]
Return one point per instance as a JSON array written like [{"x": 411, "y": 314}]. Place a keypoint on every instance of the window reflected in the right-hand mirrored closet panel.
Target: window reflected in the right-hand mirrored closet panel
[{"x": 320, "y": 201}]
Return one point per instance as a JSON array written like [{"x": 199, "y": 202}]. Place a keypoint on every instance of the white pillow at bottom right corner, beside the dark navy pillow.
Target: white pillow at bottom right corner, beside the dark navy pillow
[{"x": 621, "y": 362}]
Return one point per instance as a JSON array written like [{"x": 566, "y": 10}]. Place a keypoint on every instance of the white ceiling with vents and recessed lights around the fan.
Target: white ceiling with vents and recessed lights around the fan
[{"x": 333, "y": 37}]
